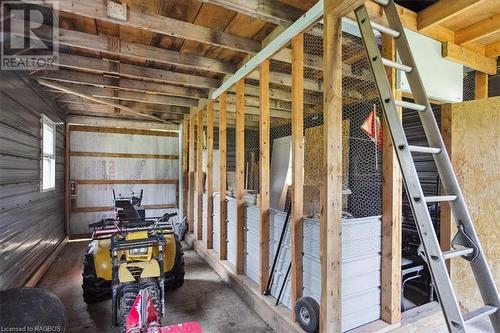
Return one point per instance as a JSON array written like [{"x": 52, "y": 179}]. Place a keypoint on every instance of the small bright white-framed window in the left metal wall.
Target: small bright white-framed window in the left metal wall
[{"x": 48, "y": 164}]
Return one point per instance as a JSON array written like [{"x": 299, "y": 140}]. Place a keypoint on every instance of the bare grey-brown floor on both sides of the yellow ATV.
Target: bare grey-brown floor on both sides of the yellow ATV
[{"x": 204, "y": 298}]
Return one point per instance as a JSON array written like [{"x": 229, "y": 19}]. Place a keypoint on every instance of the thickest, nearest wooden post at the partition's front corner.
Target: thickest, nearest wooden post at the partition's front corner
[{"x": 331, "y": 198}]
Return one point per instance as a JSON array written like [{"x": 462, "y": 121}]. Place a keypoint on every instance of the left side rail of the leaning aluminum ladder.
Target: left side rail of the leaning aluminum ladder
[{"x": 424, "y": 225}]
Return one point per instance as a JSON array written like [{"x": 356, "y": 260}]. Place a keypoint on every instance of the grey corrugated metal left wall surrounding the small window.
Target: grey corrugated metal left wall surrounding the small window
[{"x": 31, "y": 222}]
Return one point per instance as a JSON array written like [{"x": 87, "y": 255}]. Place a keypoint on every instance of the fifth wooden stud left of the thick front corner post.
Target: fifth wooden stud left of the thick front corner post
[{"x": 210, "y": 164}]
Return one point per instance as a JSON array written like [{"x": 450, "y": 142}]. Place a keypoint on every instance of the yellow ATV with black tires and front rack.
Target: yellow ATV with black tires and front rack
[{"x": 128, "y": 225}]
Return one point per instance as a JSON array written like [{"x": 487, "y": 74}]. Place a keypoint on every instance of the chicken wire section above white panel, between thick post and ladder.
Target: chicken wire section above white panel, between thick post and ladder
[{"x": 362, "y": 133}]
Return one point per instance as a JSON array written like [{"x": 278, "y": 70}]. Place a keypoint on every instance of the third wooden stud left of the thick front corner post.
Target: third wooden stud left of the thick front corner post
[{"x": 240, "y": 175}]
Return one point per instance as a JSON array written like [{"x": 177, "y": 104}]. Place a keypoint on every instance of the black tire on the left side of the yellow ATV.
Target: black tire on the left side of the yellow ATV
[{"x": 95, "y": 289}]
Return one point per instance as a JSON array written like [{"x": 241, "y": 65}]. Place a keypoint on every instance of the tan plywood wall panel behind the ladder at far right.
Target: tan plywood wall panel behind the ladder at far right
[{"x": 476, "y": 158}]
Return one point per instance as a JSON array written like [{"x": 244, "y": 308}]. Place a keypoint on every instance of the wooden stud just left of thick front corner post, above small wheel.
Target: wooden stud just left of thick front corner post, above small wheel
[{"x": 297, "y": 213}]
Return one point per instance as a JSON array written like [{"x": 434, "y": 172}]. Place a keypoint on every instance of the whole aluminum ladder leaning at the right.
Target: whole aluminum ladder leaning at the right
[{"x": 466, "y": 243}]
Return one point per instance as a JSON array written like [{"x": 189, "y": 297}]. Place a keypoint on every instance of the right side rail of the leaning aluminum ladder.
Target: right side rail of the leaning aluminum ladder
[{"x": 481, "y": 270}]
